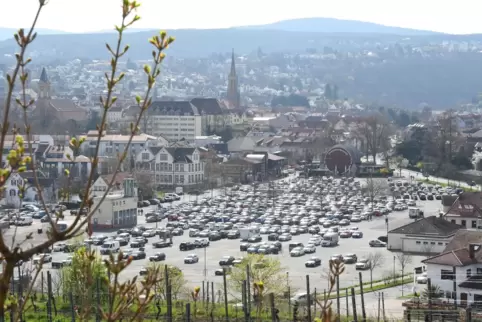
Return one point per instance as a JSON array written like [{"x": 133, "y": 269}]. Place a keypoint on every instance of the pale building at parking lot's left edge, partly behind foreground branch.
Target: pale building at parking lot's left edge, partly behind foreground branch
[{"x": 119, "y": 208}]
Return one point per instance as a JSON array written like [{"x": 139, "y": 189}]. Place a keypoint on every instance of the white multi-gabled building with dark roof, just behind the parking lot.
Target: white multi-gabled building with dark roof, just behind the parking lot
[{"x": 172, "y": 166}]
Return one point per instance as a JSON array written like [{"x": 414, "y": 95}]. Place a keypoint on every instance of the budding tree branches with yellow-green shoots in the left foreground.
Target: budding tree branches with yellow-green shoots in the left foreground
[{"x": 127, "y": 300}]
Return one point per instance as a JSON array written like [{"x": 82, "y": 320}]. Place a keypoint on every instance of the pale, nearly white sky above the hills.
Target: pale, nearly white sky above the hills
[{"x": 450, "y": 16}]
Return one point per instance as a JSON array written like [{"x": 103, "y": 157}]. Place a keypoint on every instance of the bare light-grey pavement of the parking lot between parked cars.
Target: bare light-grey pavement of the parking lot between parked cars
[{"x": 295, "y": 268}]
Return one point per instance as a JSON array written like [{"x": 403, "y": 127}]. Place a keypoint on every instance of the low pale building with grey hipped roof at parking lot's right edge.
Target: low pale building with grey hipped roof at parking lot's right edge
[{"x": 426, "y": 236}]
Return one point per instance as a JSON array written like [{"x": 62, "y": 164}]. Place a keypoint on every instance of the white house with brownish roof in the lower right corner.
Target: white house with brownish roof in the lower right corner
[{"x": 457, "y": 271}]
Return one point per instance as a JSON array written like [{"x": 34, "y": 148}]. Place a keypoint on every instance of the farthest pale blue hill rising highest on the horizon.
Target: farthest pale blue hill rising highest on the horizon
[{"x": 330, "y": 25}]
